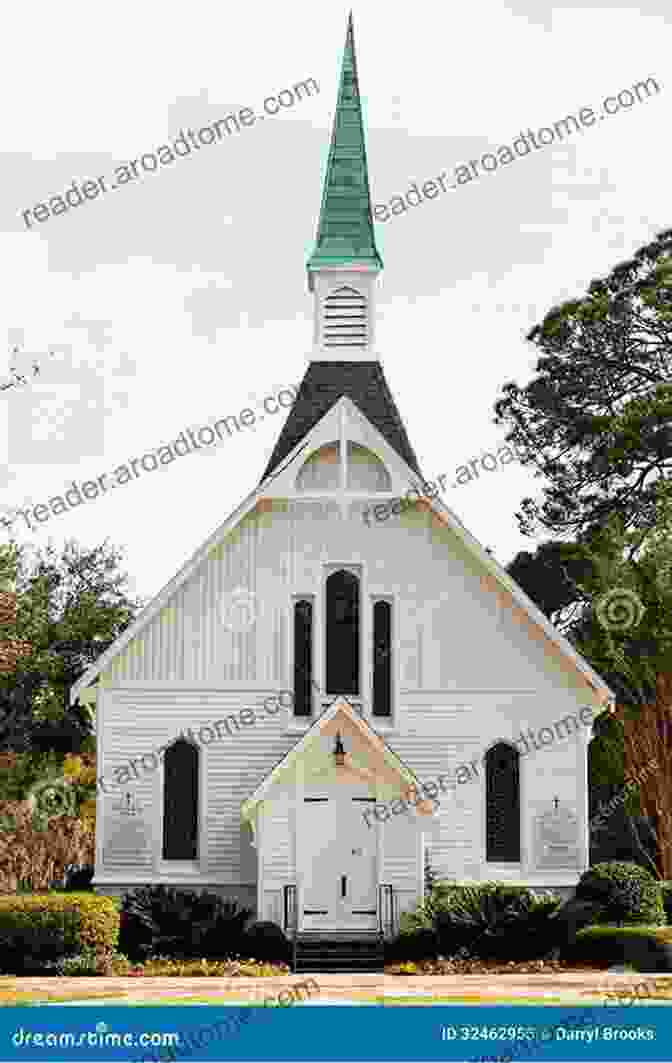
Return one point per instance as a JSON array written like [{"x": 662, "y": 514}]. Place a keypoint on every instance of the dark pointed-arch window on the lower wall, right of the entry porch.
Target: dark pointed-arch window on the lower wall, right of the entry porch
[{"x": 502, "y": 804}]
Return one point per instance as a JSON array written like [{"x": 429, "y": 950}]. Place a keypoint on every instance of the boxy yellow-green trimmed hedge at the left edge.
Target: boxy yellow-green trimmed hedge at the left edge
[{"x": 38, "y": 929}]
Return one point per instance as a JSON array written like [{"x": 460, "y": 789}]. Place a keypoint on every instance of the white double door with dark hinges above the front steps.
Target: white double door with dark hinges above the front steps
[{"x": 340, "y": 851}]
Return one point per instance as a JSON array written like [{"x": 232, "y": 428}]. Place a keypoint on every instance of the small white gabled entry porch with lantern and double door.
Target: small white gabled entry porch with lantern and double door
[{"x": 329, "y": 869}]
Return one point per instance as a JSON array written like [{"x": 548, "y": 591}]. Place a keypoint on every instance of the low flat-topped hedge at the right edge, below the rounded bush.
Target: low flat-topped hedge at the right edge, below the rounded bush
[{"x": 648, "y": 950}]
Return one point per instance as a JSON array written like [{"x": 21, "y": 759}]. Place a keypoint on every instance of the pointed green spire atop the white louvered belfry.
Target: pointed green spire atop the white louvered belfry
[{"x": 345, "y": 234}]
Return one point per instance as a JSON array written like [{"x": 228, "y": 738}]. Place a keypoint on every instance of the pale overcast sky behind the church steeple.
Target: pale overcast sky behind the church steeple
[{"x": 184, "y": 299}]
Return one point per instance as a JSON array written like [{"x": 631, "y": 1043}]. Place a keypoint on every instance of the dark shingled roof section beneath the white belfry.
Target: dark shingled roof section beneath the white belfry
[{"x": 323, "y": 386}]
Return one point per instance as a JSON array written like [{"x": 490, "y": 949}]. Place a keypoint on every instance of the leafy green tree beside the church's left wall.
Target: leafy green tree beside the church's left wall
[{"x": 72, "y": 605}]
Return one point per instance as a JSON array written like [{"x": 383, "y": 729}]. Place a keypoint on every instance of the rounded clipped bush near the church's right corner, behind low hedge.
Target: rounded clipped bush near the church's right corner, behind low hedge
[{"x": 627, "y": 893}]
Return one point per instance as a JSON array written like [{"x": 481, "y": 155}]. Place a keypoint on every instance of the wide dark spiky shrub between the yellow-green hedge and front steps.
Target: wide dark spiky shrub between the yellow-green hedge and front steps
[{"x": 180, "y": 923}]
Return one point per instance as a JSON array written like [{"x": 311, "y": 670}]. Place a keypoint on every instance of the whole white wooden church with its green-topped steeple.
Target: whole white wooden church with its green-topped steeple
[{"x": 318, "y": 703}]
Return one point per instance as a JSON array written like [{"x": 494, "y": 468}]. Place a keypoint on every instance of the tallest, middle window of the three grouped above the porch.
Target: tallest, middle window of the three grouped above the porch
[{"x": 343, "y": 634}]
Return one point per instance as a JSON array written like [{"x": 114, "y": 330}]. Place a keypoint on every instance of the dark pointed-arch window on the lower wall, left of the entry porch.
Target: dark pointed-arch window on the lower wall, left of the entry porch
[{"x": 181, "y": 802}]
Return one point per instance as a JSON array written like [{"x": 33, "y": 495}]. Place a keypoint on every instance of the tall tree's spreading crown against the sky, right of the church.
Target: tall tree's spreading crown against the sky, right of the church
[{"x": 597, "y": 418}]
